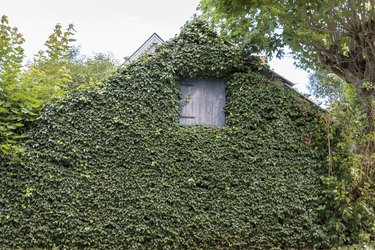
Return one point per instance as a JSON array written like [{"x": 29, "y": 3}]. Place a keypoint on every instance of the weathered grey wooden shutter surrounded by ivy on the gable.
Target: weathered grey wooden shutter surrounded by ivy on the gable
[{"x": 203, "y": 102}]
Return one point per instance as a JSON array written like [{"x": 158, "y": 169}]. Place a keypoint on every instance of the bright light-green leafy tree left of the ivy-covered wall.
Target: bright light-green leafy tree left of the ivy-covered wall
[{"x": 23, "y": 92}]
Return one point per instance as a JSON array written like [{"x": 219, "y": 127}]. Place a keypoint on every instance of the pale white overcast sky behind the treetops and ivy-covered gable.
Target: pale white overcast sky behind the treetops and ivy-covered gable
[{"x": 117, "y": 26}]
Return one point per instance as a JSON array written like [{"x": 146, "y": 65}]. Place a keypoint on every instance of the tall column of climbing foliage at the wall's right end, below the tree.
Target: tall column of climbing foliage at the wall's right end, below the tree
[{"x": 350, "y": 205}]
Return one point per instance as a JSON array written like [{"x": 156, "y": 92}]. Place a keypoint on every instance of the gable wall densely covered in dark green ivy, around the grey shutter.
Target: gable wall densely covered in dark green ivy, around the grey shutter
[{"x": 111, "y": 169}]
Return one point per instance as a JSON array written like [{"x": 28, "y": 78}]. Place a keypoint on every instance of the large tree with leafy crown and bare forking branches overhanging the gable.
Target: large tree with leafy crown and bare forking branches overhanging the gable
[{"x": 338, "y": 35}]
